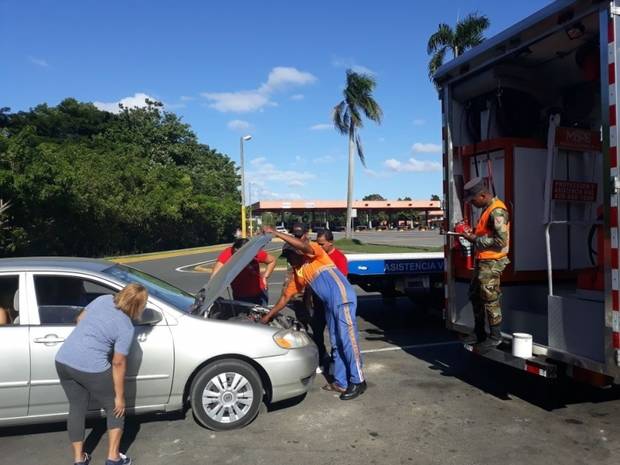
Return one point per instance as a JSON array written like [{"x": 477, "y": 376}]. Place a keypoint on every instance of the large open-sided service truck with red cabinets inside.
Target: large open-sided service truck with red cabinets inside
[{"x": 534, "y": 111}]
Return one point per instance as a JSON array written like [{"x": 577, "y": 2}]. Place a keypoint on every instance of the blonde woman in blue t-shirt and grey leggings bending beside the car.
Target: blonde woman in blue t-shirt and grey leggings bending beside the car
[{"x": 104, "y": 331}]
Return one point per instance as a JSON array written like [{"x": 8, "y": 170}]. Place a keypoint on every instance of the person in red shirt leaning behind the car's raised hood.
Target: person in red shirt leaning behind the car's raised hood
[{"x": 250, "y": 285}]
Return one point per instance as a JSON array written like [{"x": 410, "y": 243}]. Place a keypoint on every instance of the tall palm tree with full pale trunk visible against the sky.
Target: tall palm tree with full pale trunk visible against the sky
[{"x": 347, "y": 116}]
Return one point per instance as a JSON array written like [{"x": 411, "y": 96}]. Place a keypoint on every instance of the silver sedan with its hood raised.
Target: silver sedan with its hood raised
[{"x": 204, "y": 351}]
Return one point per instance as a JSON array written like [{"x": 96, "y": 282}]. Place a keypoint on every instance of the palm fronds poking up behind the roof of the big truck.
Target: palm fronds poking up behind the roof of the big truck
[{"x": 467, "y": 33}]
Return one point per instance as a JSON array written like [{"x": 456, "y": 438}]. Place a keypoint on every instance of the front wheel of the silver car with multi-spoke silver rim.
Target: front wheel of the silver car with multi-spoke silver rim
[{"x": 226, "y": 395}]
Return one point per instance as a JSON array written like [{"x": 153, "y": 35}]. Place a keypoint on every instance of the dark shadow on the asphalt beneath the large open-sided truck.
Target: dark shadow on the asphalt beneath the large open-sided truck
[{"x": 400, "y": 323}]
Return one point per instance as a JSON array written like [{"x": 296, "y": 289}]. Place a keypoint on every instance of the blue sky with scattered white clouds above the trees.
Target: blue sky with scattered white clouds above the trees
[{"x": 273, "y": 69}]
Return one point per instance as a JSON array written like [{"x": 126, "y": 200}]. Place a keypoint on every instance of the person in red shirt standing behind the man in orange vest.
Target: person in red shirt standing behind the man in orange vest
[{"x": 316, "y": 309}]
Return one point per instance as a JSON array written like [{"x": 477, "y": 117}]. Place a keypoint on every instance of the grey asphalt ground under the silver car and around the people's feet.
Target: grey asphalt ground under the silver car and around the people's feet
[{"x": 429, "y": 402}]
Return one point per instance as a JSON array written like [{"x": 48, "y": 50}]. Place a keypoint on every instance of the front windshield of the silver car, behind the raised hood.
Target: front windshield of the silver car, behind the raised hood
[{"x": 159, "y": 289}]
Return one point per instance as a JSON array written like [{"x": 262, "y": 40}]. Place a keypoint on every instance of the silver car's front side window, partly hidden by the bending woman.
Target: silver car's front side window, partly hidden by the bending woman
[{"x": 60, "y": 299}]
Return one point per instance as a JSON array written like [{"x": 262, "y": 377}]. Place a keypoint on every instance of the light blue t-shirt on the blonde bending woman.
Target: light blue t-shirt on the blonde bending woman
[{"x": 103, "y": 330}]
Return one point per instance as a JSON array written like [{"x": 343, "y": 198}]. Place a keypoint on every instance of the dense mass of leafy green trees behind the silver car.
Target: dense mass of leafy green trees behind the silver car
[{"x": 88, "y": 182}]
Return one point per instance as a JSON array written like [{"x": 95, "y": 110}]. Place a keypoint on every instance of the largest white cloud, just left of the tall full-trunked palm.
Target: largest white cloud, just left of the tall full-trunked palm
[{"x": 280, "y": 78}]
